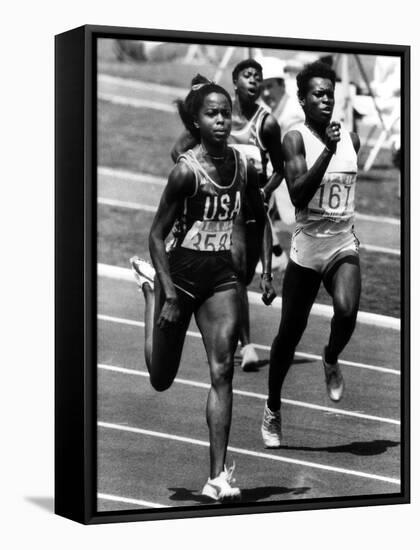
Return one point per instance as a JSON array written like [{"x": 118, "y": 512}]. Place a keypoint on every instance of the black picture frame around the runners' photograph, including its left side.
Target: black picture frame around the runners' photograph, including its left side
[{"x": 76, "y": 273}]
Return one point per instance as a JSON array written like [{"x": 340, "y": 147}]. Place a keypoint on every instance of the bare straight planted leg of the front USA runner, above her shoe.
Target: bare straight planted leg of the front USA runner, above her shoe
[{"x": 217, "y": 320}]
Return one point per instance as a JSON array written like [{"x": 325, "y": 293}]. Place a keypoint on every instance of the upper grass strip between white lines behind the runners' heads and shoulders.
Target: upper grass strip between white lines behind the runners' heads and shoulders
[{"x": 140, "y": 140}]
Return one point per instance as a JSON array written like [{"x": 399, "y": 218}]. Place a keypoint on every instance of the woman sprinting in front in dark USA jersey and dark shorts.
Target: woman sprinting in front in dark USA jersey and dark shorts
[{"x": 195, "y": 272}]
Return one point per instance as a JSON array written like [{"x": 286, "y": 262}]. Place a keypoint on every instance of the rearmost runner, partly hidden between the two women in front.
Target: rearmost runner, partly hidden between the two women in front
[{"x": 256, "y": 134}]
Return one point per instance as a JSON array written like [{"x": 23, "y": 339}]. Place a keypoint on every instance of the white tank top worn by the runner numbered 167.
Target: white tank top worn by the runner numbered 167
[{"x": 331, "y": 209}]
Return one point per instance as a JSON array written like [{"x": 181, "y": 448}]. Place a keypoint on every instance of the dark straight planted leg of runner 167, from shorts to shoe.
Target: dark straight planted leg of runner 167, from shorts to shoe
[{"x": 300, "y": 287}]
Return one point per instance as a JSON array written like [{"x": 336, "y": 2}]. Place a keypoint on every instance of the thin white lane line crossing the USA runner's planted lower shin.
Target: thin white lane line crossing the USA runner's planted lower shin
[{"x": 247, "y": 452}]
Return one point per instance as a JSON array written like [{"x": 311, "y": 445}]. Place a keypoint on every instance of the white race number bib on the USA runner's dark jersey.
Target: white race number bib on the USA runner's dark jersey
[{"x": 209, "y": 236}]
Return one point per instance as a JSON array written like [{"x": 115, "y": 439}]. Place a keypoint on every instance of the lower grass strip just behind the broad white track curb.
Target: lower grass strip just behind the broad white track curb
[{"x": 122, "y": 233}]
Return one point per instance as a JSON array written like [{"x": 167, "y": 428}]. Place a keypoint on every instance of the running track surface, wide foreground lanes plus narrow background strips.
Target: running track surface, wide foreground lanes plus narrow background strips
[{"x": 152, "y": 447}]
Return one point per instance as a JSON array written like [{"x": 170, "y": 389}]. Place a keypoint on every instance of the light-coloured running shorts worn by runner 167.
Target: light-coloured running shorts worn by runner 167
[{"x": 321, "y": 253}]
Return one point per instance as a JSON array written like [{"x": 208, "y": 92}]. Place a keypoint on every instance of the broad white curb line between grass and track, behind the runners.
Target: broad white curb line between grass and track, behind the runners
[{"x": 125, "y": 274}]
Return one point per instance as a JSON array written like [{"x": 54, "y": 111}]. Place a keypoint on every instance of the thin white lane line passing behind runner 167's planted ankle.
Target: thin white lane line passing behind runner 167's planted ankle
[{"x": 302, "y": 404}]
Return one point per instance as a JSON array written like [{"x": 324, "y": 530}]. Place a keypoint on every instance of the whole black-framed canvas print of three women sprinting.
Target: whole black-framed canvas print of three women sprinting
[{"x": 232, "y": 268}]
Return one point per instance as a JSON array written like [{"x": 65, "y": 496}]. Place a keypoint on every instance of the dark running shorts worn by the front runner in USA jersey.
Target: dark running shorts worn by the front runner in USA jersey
[{"x": 199, "y": 275}]
